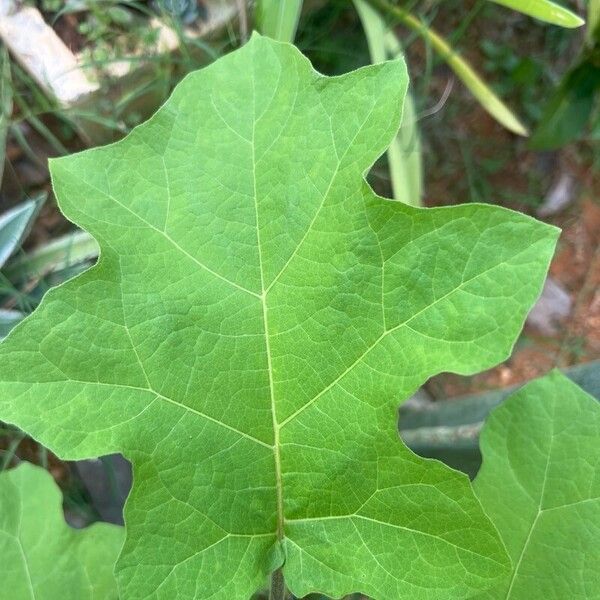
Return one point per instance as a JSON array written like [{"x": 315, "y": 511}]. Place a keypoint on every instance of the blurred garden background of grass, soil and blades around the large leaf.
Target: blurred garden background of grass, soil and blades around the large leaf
[{"x": 503, "y": 108}]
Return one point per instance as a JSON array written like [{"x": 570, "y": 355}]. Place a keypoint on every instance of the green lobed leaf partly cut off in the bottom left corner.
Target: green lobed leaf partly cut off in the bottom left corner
[{"x": 42, "y": 557}]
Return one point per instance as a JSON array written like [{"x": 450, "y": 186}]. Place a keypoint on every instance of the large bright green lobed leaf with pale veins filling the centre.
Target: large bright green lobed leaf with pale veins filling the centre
[{"x": 255, "y": 318}]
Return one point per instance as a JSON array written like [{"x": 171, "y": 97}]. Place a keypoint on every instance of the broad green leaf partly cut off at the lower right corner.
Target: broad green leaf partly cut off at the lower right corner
[{"x": 540, "y": 485}]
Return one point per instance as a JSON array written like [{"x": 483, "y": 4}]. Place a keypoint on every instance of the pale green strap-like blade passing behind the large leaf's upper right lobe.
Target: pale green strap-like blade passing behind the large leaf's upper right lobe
[{"x": 404, "y": 153}]
